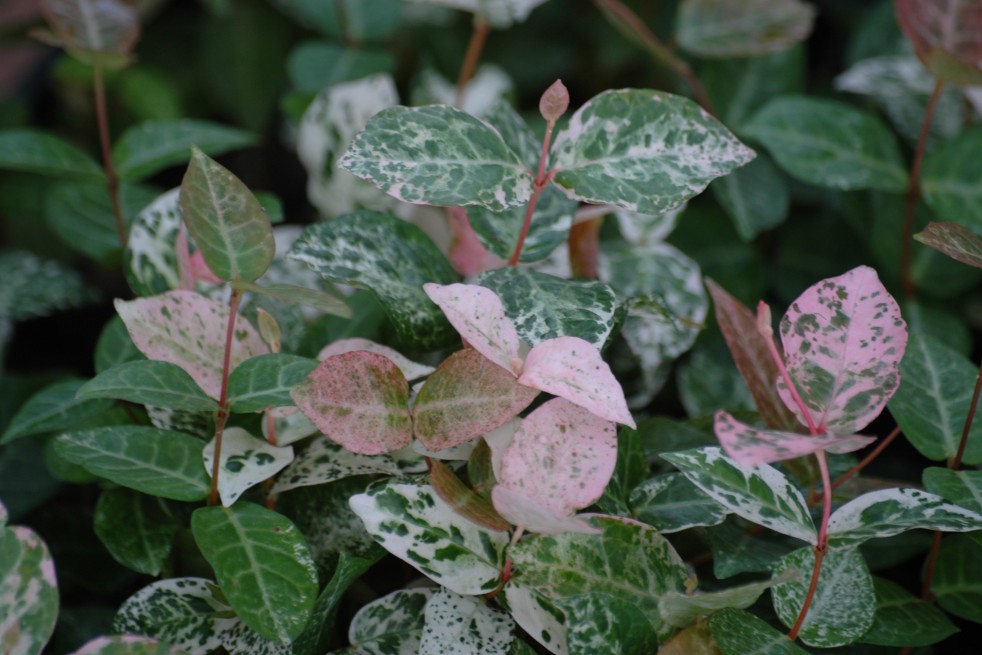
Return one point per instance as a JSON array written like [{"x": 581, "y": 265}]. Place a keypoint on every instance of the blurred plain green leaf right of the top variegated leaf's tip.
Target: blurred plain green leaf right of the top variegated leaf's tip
[{"x": 829, "y": 143}]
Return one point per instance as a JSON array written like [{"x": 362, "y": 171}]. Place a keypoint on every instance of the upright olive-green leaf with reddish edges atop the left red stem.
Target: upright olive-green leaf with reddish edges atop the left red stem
[{"x": 225, "y": 220}]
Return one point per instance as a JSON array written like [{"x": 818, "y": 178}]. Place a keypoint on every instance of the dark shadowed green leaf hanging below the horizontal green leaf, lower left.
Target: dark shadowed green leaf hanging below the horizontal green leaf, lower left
[{"x": 137, "y": 530}]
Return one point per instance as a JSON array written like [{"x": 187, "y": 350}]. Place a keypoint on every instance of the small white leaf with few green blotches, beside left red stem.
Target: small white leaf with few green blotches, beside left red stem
[{"x": 246, "y": 461}]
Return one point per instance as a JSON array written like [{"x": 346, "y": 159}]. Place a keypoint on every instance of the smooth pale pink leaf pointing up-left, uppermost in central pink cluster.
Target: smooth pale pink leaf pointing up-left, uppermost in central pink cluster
[{"x": 478, "y": 315}]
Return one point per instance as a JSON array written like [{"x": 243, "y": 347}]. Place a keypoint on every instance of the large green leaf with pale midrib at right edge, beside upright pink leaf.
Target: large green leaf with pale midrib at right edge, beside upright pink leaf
[{"x": 934, "y": 398}]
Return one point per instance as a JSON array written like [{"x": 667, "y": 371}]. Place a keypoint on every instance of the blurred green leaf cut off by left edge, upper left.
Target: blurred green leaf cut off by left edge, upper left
[{"x": 33, "y": 151}]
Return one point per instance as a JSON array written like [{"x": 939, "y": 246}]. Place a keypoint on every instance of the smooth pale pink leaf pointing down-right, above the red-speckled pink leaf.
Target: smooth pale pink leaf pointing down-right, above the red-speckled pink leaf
[{"x": 572, "y": 368}]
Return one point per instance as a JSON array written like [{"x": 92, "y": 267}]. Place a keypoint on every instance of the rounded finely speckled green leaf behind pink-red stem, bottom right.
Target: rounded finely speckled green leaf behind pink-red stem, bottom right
[{"x": 844, "y": 603}]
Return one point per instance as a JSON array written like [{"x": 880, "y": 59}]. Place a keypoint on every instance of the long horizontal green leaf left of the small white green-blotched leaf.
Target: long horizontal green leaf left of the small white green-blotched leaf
[{"x": 156, "y": 462}]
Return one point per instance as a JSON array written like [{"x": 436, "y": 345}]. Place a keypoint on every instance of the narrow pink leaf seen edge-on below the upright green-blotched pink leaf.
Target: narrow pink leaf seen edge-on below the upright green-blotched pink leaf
[{"x": 749, "y": 446}]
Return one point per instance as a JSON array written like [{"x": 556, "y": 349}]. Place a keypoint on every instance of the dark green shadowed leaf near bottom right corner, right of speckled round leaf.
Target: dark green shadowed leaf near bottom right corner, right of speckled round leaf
[{"x": 903, "y": 619}]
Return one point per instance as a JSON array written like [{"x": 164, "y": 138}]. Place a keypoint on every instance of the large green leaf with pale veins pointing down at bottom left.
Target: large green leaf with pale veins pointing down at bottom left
[{"x": 262, "y": 564}]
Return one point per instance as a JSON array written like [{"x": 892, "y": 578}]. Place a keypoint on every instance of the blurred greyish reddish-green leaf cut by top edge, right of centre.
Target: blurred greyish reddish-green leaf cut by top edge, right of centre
[{"x": 717, "y": 28}]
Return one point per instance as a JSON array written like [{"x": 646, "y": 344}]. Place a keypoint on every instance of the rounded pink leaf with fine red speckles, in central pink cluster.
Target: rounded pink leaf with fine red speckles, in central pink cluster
[{"x": 562, "y": 457}]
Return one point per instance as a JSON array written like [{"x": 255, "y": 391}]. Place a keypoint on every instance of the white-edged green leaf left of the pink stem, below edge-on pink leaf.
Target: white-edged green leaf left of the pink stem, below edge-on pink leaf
[{"x": 762, "y": 495}]
